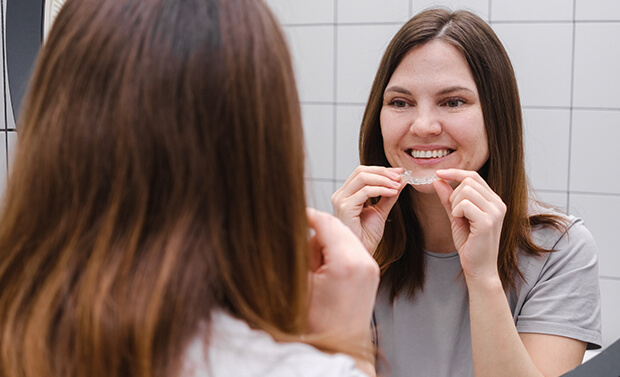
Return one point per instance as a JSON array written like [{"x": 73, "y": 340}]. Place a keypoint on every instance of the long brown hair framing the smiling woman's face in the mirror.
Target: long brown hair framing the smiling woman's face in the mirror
[{"x": 400, "y": 253}]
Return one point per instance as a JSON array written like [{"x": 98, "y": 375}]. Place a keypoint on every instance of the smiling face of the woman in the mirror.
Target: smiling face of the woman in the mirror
[{"x": 431, "y": 116}]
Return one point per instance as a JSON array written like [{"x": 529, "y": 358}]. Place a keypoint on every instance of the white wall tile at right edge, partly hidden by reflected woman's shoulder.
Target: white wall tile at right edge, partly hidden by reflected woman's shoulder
[{"x": 600, "y": 213}]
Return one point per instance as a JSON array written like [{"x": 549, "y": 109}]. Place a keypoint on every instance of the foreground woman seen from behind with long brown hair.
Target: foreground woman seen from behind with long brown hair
[{"x": 155, "y": 220}]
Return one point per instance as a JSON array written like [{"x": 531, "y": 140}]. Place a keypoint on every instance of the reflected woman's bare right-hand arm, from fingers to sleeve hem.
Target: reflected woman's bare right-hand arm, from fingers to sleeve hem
[{"x": 476, "y": 214}]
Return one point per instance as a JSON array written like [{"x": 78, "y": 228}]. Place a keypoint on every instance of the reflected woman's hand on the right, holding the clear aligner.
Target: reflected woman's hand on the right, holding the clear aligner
[{"x": 477, "y": 214}]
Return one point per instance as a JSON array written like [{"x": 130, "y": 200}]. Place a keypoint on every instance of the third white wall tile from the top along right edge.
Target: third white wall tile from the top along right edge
[{"x": 594, "y": 143}]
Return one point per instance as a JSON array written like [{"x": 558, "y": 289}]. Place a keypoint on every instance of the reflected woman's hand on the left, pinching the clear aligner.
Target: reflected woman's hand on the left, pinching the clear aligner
[{"x": 350, "y": 201}]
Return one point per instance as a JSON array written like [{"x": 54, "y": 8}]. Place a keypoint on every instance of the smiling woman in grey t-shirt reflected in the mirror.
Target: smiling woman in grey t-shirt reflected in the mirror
[{"x": 478, "y": 278}]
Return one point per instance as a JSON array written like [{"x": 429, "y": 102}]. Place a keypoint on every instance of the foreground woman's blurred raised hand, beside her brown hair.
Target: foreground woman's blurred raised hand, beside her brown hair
[{"x": 343, "y": 281}]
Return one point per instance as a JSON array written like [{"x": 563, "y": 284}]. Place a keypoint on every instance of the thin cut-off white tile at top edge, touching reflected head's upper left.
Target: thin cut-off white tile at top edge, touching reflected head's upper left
[{"x": 369, "y": 11}]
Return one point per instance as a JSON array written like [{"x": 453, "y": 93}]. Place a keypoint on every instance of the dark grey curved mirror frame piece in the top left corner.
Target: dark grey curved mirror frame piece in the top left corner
[{"x": 24, "y": 33}]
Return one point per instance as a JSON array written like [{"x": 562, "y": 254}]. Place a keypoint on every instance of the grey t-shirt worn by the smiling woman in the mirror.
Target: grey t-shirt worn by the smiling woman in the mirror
[{"x": 430, "y": 336}]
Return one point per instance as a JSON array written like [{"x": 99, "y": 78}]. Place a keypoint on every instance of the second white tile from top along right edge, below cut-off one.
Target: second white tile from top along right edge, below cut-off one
[{"x": 597, "y": 58}]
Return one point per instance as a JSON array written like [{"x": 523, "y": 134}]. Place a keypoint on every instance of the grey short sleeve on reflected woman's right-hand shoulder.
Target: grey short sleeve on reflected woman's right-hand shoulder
[{"x": 565, "y": 300}]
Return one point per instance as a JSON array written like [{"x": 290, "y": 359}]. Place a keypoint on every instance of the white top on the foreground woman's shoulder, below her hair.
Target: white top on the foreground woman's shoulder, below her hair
[{"x": 236, "y": 350}]
